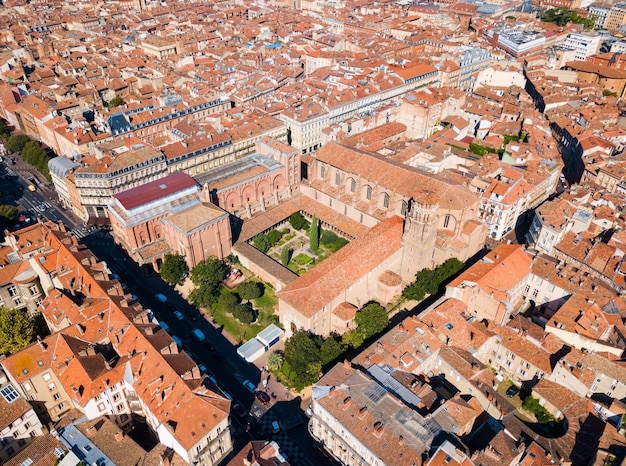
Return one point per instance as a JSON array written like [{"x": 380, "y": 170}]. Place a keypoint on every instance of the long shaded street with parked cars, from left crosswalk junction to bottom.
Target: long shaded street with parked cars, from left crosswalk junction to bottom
[{"x": 218, "y": 354}]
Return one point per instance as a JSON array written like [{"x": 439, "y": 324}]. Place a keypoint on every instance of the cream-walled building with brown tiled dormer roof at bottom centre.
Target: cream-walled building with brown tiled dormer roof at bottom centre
[{"x": 359, "y": 421}]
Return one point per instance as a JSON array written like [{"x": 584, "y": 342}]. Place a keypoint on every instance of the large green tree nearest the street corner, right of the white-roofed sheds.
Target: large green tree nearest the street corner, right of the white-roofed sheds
[{"x": 303, "y": 357}]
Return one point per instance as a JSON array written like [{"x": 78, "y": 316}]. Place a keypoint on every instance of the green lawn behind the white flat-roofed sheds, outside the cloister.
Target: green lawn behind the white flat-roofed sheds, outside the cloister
[{"x": 240, "y": 332}]
